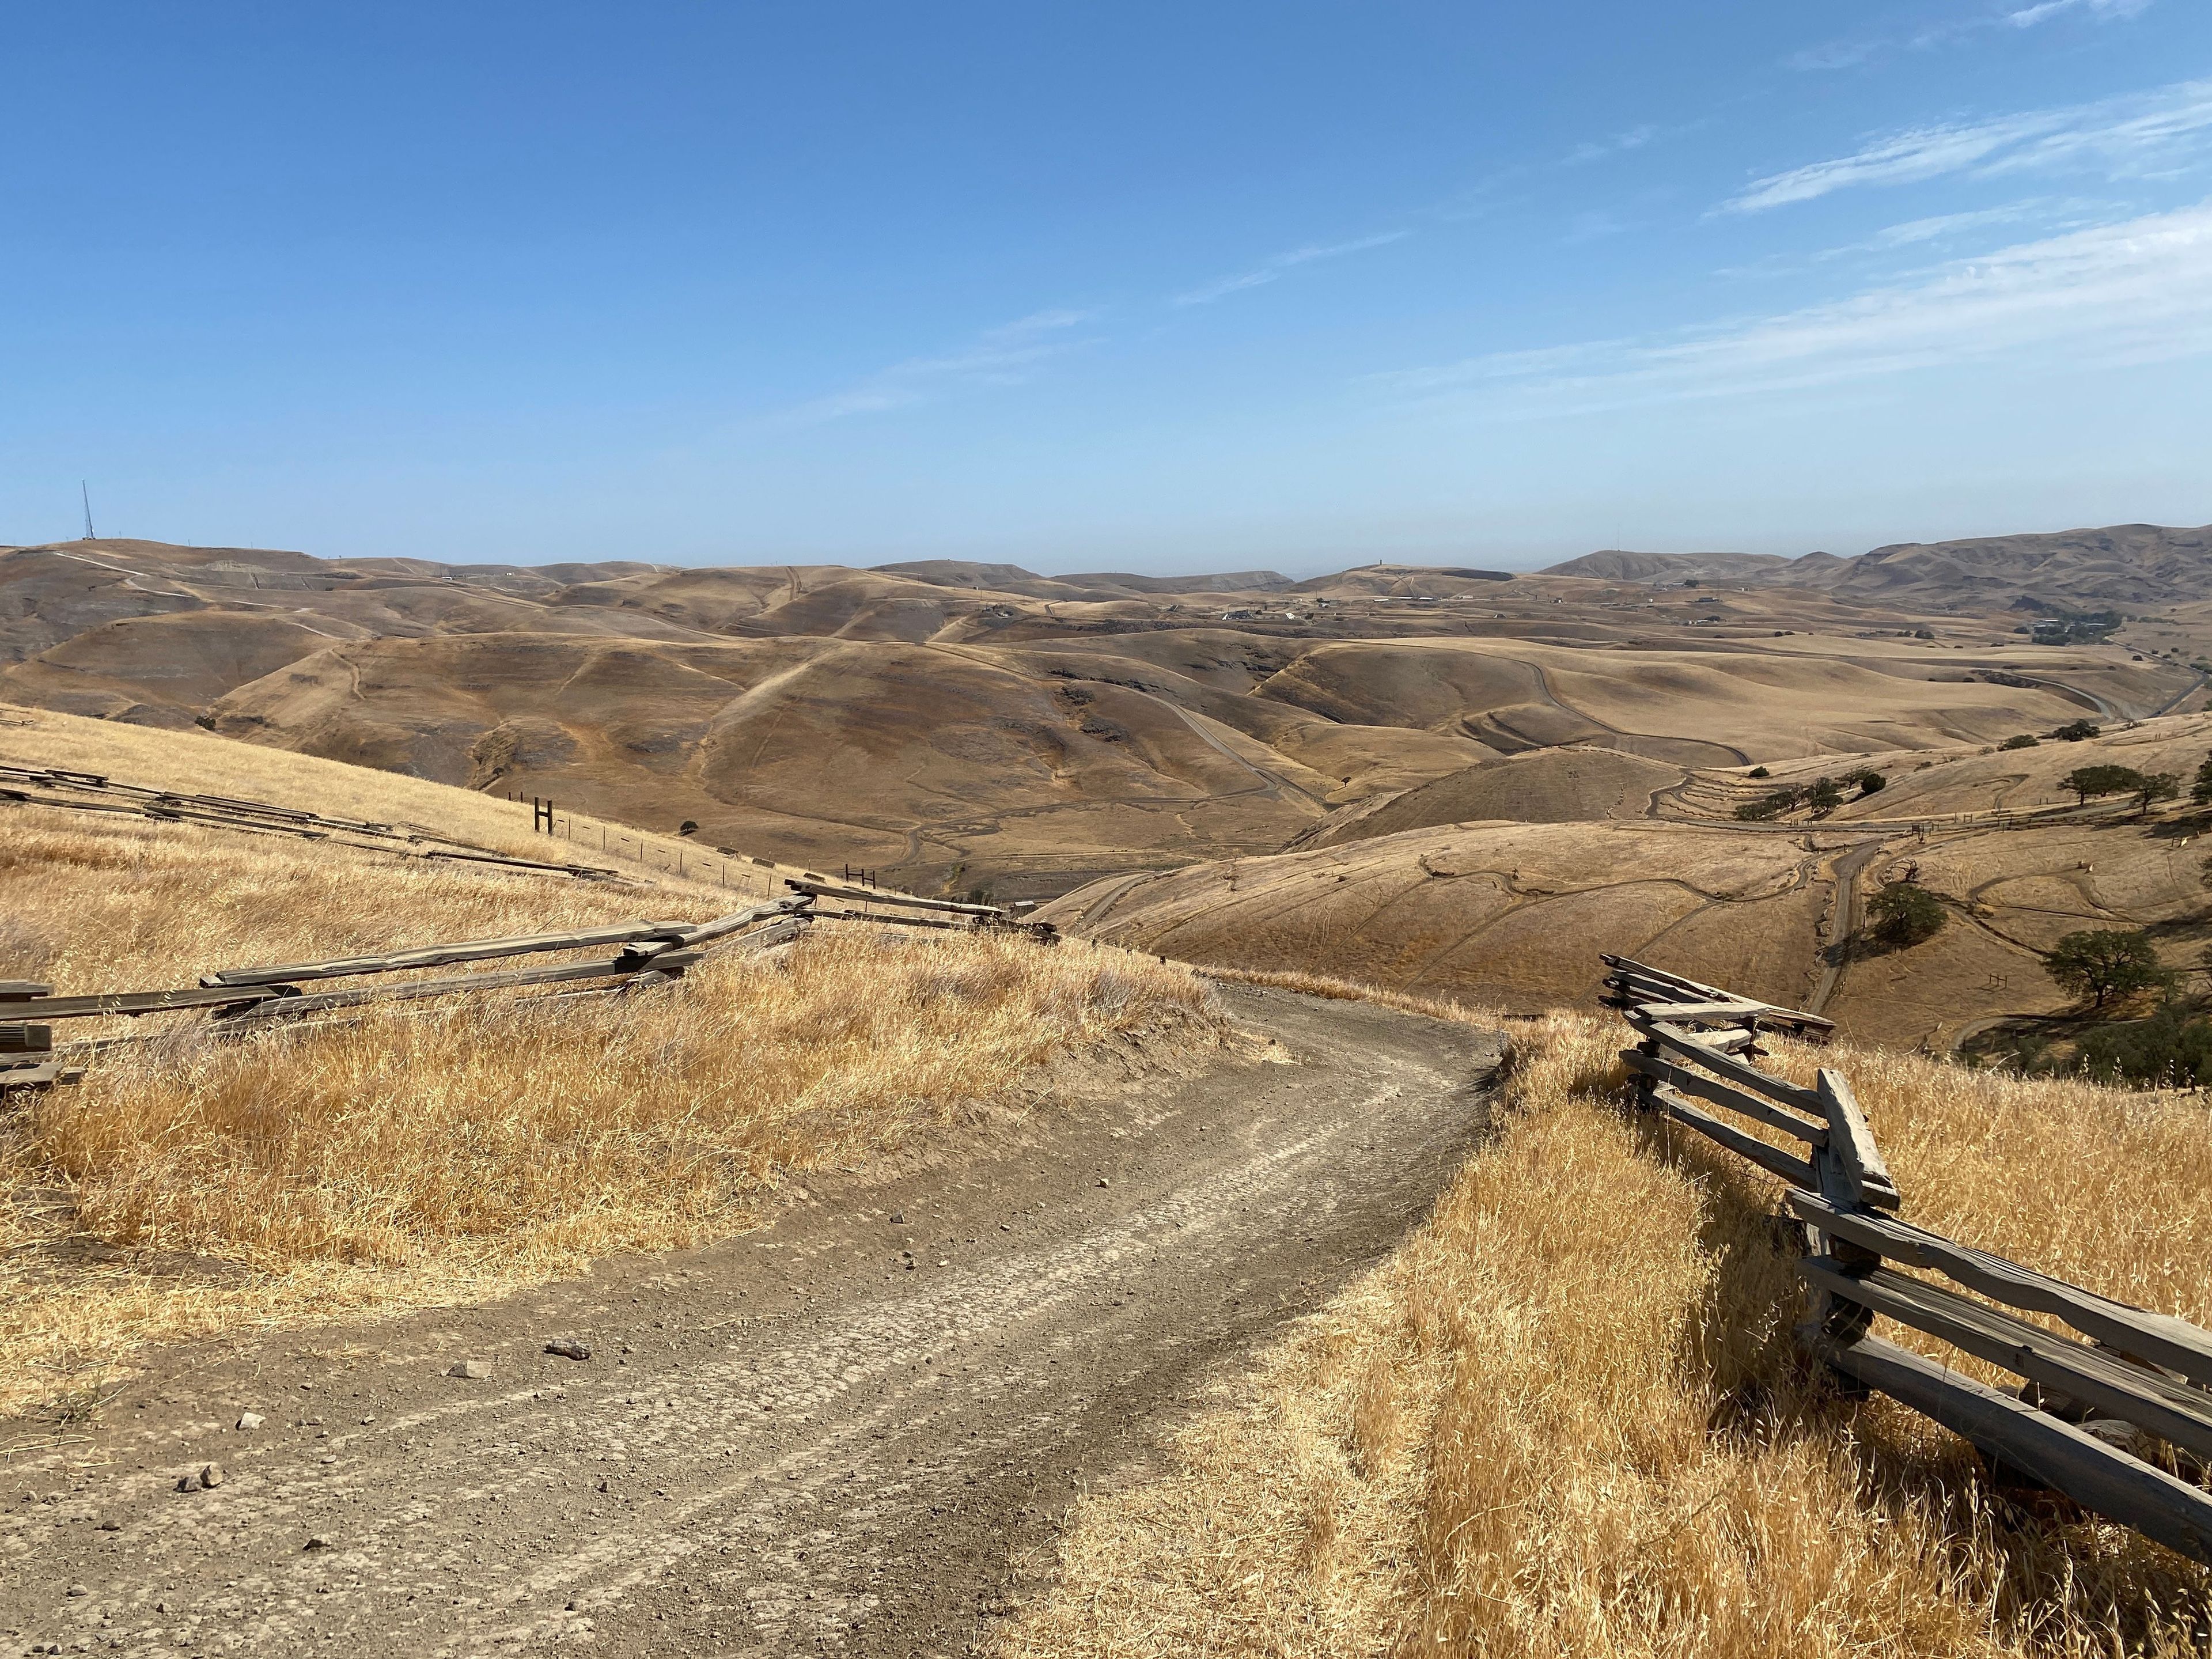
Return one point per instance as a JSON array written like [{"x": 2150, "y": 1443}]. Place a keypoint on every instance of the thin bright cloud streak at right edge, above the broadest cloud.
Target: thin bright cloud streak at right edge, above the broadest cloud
[{"x": 2120, "y": 136}]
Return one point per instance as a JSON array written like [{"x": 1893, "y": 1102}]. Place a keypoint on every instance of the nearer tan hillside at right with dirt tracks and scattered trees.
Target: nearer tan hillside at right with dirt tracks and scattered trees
[{"x": 1501, "y": 884}]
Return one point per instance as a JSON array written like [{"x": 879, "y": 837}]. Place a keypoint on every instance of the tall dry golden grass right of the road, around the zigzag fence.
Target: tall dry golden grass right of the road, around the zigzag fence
[{"x": 1565, "y": 1419}]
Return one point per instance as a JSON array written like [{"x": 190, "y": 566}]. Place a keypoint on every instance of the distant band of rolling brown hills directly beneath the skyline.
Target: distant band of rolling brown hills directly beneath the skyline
[{"x": 966, "y": 727}]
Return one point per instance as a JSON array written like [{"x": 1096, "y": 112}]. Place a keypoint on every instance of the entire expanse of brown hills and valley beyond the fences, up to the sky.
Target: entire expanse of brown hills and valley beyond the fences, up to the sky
[{"x": 1439, "y": 780}]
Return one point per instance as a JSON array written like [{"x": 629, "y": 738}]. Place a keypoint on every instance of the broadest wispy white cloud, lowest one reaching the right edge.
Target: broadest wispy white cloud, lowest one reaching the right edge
[{"x": 2136, "y": 291}]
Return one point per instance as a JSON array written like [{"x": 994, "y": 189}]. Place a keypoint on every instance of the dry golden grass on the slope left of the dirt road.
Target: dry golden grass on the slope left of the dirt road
[{"x": 430, "y": 1154}]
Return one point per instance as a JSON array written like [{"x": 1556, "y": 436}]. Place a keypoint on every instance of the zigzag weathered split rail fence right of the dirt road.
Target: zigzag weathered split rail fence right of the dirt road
[{"x": 2105, "y": 1421}]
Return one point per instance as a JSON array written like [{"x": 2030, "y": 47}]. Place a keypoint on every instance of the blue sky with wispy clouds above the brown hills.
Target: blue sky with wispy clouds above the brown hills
[{"x": 1127, "y": 286}]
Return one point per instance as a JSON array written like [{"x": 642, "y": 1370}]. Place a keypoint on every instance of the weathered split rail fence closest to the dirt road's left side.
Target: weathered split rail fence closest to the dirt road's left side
[{"x": 258, "y": 997}]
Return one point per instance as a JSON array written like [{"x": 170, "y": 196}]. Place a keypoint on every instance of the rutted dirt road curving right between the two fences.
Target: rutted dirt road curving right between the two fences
[{"x": 791, "y": 1443}]
